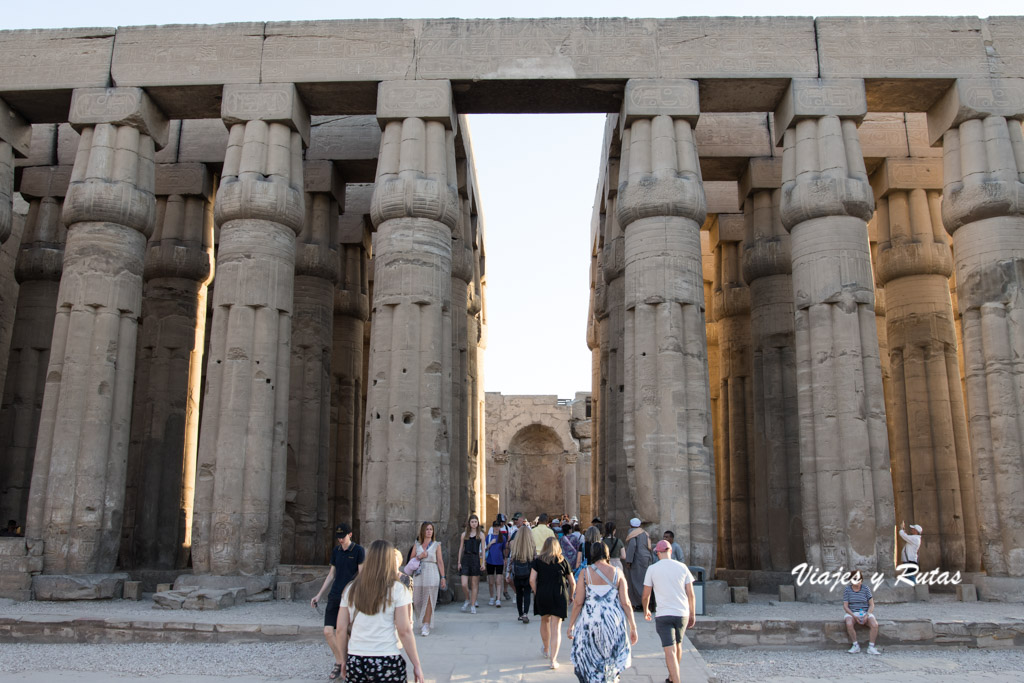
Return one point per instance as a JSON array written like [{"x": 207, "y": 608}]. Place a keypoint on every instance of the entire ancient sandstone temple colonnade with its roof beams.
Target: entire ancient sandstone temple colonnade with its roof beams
[{"x": 245, "y": 280}]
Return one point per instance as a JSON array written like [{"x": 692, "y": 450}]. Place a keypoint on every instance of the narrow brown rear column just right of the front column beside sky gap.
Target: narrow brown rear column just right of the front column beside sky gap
[{"x": 732, "y": 302}]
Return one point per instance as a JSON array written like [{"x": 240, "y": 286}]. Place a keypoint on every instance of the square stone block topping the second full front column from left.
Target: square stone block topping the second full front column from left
[{"x": 273, "y": 103}]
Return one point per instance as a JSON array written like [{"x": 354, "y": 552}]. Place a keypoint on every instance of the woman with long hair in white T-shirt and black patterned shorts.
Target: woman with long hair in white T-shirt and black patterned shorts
[{"x": 378, "y": 607}]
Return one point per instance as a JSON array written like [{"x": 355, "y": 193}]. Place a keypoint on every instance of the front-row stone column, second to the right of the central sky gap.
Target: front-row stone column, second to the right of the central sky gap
[{"x": 846, "y": 488}]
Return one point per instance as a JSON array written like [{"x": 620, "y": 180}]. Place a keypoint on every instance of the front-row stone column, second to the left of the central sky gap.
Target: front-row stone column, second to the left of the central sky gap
[{"x": 241, "y": 483}]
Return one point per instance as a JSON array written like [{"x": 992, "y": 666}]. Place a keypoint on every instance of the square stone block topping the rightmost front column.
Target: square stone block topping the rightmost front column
[{"x": 975, "y": 99}]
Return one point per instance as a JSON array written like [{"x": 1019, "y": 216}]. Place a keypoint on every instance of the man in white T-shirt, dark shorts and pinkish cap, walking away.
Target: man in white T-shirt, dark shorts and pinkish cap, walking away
[{"x": 673, "y": 586}]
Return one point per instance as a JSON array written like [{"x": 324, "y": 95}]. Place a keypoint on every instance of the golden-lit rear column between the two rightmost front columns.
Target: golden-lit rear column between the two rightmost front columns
[{"x": 933, "y": 474}]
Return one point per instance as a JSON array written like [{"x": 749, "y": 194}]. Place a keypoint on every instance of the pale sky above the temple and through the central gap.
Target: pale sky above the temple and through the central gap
[{"x": 537, "y": 175}]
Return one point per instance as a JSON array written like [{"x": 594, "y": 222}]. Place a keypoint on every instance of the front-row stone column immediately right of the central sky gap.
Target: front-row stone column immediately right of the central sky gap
[{"x": 667, "y": 437}]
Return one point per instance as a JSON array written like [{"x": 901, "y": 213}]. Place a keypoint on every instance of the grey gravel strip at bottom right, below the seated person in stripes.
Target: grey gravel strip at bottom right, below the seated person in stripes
[{"x": 897, "y": 664}]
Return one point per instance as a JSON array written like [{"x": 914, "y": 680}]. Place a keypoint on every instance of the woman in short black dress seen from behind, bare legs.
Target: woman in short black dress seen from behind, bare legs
[{"x": 552, "y": 582}]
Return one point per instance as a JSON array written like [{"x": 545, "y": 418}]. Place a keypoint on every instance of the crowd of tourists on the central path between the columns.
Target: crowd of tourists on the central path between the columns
[{"x": 373, "y": 599}]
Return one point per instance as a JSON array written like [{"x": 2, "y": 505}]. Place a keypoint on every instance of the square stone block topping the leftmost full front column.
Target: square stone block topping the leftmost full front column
[{"x": 122, "y": 107}]
